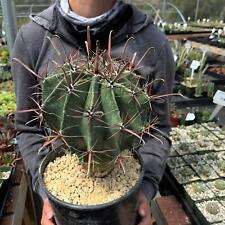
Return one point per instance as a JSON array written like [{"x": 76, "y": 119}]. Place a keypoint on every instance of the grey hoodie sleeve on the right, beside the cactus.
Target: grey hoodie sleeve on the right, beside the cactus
[{"x": 156, "y": 149}]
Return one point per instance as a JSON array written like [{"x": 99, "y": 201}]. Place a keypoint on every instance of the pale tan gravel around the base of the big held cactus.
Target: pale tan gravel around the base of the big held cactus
[{"x": 66, "y": 179}]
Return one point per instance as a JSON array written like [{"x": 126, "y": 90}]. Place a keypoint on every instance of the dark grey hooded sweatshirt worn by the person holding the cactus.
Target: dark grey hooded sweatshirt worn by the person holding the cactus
[{"x": 53, "y": 35}]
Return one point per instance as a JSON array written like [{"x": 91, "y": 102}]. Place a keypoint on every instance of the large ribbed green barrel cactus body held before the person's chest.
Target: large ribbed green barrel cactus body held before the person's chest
[{"x": 94, "y": 114}]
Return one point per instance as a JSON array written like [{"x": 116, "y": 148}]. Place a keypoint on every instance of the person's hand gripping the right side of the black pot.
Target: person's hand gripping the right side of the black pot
[{"x": 144, "y": 211}]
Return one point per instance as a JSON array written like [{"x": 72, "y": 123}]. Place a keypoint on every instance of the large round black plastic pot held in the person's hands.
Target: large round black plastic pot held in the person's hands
[{"x": 122, "y": 211}]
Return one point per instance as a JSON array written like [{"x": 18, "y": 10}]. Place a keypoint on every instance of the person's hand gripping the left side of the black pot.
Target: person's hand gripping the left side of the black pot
[{"x": 47, "y": 213}]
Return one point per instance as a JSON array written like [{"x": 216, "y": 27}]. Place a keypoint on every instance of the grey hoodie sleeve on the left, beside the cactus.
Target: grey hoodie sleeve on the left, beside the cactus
[{"x": 30, "y": 133}]
